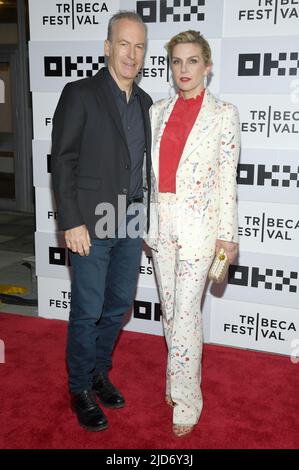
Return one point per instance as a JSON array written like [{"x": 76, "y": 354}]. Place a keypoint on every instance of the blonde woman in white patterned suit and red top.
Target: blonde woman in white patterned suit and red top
[{"x": 195, "y": 151}]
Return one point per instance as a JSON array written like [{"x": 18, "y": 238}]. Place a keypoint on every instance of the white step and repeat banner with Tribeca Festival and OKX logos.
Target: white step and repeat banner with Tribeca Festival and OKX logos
[{"x": 255, "y": 46}]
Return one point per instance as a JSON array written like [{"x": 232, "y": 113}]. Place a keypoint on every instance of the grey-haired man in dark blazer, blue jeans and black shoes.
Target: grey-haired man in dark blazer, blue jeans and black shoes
[{"x": 101, "y": 129}]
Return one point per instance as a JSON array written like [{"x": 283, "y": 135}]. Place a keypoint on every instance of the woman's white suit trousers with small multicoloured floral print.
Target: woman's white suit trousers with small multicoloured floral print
[{"x": 181, "y": 284}]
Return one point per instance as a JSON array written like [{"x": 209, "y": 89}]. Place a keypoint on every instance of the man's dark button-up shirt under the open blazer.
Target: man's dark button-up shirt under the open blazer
[{"x": 133, "y": 125}]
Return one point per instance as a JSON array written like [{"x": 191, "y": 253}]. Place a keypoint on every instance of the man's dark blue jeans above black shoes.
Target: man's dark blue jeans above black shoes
[{"x": 103, "y": 290}]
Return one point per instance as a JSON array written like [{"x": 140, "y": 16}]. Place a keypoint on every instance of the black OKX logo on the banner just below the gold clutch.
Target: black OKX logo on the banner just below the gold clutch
[{"x": 271, "y": 279}]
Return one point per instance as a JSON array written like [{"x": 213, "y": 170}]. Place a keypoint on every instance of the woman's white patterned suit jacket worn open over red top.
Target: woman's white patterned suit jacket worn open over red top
[{"x": 205, "y": 180}]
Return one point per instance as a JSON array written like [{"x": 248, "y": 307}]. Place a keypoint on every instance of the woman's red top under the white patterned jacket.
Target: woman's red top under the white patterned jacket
[{"x": 174, "y": 138}]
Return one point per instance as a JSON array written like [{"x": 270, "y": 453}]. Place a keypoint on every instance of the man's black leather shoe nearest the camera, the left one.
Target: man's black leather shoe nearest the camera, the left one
[{"x": 89, "y": 414}]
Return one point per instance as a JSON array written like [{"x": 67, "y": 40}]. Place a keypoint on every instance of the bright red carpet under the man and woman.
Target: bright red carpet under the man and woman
[{"x": 251, "y": 399}]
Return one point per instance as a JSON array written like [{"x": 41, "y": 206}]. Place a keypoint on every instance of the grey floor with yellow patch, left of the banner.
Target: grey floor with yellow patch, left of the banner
[{"x": 17, "y": 263}]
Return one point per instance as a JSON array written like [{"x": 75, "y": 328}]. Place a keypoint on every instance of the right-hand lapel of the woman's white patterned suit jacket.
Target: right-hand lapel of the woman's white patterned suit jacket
[{"x": 203, "y": 123}]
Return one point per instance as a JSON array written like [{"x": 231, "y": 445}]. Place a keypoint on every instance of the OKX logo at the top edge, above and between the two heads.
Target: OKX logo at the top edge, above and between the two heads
[{"x": 171, "y": 11}]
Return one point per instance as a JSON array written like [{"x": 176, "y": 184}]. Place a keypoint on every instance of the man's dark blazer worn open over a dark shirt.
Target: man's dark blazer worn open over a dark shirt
[{"x": 90, "y": 157}]
